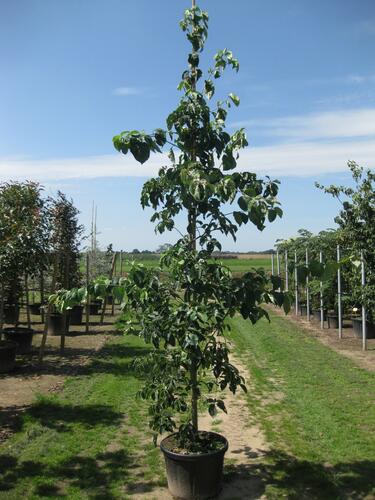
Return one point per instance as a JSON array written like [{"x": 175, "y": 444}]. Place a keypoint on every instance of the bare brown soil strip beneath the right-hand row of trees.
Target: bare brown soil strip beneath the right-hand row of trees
[{"x": 349, "y": 346}]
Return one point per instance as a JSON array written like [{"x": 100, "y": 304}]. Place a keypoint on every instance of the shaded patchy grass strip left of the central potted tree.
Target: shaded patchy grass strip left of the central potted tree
[{"x": 90, "y": 441}]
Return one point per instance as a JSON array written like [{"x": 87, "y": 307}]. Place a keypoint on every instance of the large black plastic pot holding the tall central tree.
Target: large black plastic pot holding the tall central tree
[{"x": 196, "y": 475}]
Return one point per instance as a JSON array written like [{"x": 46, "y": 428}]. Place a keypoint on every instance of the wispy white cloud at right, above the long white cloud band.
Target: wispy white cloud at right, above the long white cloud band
[{"x": 315, "y": 126}]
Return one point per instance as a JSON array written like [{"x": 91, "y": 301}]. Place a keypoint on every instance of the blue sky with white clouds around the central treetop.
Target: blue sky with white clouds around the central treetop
[{"x": 74, "y": 73}]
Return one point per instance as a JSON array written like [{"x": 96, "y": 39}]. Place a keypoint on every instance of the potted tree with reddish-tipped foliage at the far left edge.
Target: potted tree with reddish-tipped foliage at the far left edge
[{"x": 24, "y": 235}]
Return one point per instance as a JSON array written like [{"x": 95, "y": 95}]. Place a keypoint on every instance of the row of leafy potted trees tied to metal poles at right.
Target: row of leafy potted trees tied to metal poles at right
[{"x": 356, "y": 237}]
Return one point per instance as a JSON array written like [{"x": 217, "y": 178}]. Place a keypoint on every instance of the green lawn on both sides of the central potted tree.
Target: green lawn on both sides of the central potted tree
[{"x": 91, "y": 440}]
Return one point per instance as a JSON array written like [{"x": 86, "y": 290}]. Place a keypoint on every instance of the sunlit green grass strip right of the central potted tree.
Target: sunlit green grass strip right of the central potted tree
[{"x": 316, "y": 408}]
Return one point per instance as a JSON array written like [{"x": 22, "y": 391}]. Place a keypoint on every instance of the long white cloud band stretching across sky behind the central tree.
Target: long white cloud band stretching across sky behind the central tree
[{"x": 293, "y": 159}]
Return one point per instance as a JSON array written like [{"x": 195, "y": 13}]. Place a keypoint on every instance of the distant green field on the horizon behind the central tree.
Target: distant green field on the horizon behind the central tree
[{"x": 239, "y": 265}]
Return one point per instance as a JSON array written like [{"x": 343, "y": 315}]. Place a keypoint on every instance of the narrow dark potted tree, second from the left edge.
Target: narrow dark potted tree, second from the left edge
[{"x": 65, "y": 243}]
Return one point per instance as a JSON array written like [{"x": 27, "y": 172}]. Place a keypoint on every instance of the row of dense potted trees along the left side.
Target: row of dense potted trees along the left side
[{"x": 38, "y": 235}]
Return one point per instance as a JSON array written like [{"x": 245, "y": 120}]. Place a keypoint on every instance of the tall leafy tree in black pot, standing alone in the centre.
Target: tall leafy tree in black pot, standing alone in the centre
[{"x": 184, "y": 315}]
